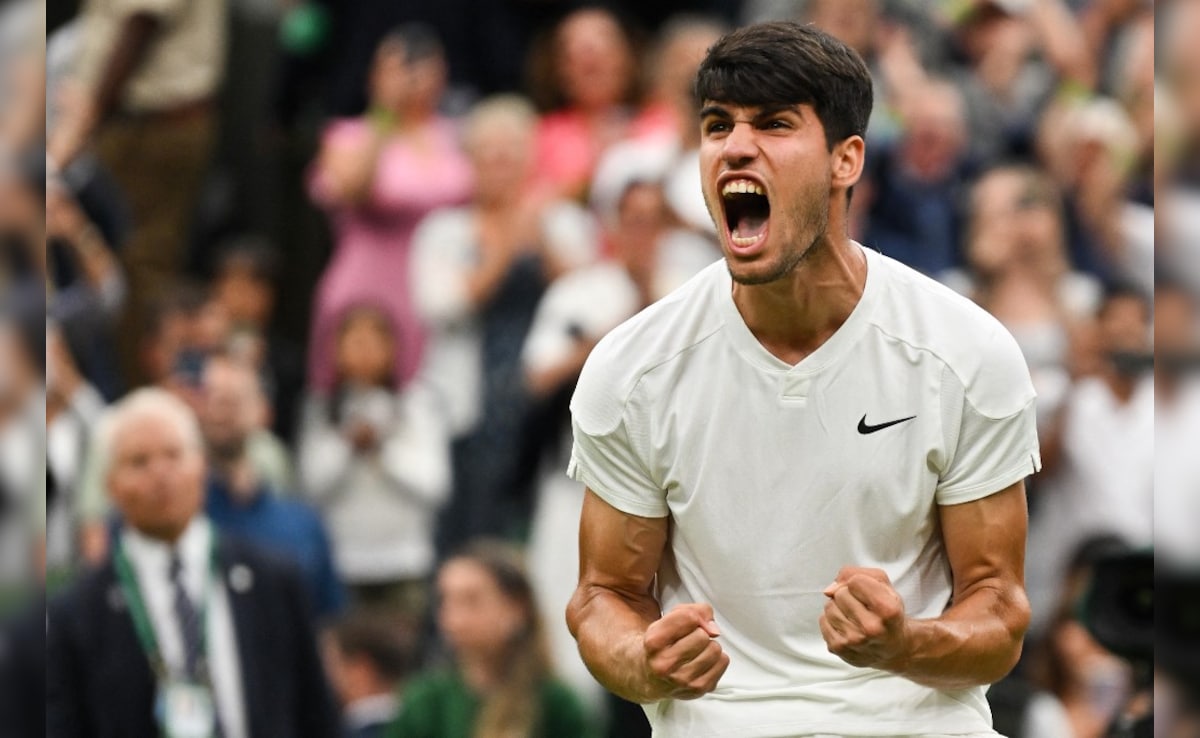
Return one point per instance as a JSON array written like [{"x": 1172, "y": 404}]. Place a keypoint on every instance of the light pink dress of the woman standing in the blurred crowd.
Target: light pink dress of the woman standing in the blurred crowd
[{"x": 371, "y": 256}]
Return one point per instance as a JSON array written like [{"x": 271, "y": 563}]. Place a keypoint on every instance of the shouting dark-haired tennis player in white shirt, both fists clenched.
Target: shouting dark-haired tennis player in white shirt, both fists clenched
[{"x": 806, "y": 509}]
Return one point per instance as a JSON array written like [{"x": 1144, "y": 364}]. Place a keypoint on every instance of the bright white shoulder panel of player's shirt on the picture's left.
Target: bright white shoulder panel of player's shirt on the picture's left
[{"x": 663, "y": 333}]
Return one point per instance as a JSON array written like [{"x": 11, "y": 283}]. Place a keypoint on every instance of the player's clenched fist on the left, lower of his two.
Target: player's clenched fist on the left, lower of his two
[{"x": 682, "y": 655}]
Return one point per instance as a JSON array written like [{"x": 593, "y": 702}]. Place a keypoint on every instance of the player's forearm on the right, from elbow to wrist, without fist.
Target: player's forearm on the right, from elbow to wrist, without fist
[{"x": 976, "y": 641}]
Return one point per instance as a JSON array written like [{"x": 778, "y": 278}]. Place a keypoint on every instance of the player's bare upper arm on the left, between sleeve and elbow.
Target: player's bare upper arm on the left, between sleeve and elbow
[{"x": 617, "y": 550}]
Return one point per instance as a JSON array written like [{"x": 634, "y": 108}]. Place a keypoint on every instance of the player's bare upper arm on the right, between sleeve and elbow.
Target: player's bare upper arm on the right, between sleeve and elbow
[{"x": 985, "y": 542}]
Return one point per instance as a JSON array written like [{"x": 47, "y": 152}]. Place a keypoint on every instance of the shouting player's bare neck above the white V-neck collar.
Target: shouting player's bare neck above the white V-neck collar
[{"x": 794, "y": 316}]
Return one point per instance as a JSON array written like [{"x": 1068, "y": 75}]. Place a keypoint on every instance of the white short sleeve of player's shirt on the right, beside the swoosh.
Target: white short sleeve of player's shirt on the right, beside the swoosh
[{"x": 989, "y": 423}]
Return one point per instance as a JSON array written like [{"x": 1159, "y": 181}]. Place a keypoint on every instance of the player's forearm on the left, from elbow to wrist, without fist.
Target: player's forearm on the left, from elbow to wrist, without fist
[{"x": 610, "y": 629}]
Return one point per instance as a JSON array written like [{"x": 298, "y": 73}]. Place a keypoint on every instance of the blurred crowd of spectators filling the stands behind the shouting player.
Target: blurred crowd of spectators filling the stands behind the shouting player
[{"x": 367, "y": 248}]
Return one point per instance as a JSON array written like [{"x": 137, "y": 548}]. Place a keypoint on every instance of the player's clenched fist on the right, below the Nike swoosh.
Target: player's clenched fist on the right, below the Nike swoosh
[{"x": 865, "y": 622}]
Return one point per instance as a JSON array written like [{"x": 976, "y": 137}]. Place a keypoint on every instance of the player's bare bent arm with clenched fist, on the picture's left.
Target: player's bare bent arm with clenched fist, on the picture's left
[{"x": 627, "y": 644}]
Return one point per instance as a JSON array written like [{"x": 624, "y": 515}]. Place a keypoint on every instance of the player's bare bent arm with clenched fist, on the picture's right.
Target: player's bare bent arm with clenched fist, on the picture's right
[{"x": 979, "y": 639}]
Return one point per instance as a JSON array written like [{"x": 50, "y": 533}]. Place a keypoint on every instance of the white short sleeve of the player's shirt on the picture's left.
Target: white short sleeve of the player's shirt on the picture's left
[{"x": 610, "y": 454}]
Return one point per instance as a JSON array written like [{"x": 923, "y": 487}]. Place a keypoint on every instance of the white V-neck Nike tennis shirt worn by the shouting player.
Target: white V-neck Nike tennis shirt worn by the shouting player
[{"x": 778, "y": 476}]
